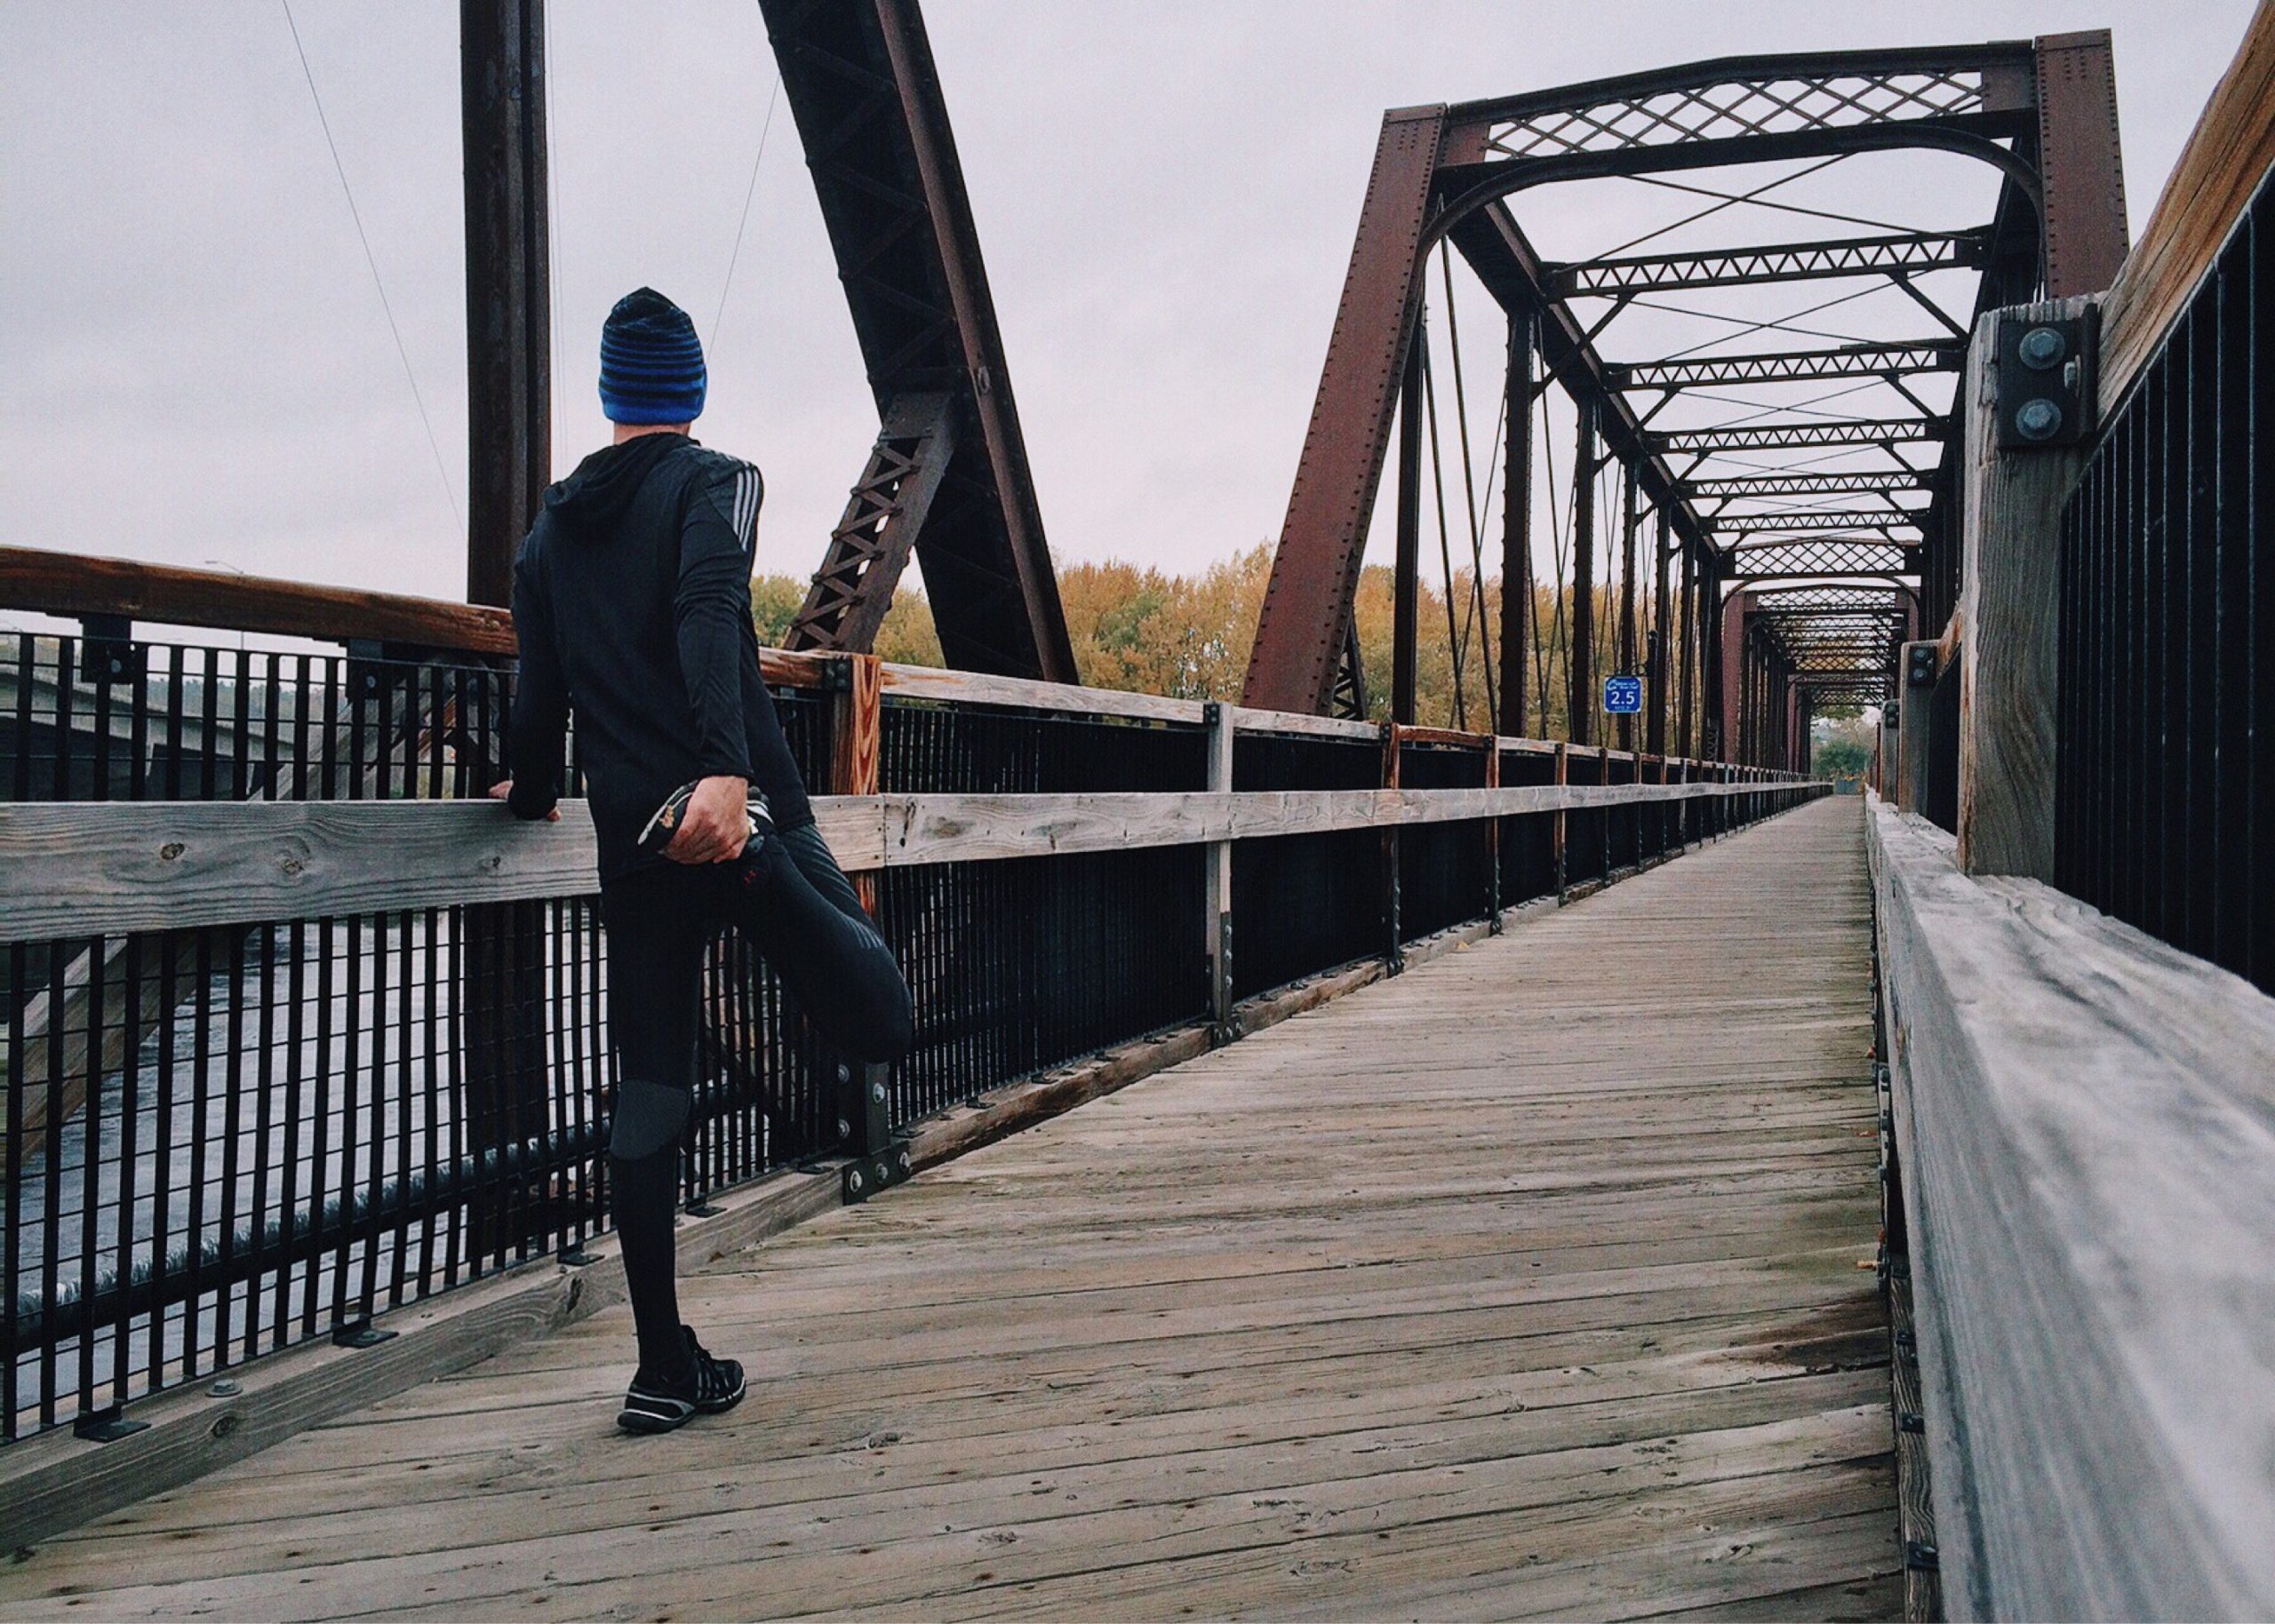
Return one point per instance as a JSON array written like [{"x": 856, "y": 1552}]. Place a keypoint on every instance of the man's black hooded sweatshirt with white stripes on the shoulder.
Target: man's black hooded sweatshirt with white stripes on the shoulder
[{"x": 634, "y": 608}]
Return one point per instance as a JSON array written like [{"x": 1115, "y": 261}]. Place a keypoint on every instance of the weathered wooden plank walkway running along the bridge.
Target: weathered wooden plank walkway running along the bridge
[{"x": 1528, "y": 1284}]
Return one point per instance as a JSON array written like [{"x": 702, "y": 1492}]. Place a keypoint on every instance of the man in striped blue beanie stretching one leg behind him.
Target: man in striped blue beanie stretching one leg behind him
[{"x": 634, "y": 611}]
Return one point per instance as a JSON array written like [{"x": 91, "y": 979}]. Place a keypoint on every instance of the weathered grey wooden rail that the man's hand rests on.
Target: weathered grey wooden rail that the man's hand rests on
[{"x": 106, "y": 868}]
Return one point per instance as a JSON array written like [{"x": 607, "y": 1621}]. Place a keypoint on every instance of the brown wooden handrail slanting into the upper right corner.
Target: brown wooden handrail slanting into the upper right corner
[{"x": 2219, "y": 169}]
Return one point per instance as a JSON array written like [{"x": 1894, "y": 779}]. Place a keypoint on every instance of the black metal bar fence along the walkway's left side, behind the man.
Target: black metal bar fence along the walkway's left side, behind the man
[{"x": 229, "y": 1141}]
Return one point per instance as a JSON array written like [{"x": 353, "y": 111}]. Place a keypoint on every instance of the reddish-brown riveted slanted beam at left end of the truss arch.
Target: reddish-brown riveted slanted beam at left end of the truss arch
[{"x": 1323, "y": 540}]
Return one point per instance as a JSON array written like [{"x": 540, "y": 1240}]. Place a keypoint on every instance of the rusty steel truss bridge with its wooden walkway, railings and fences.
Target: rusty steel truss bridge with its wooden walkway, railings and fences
[{"x": 1687, "y": 1191}]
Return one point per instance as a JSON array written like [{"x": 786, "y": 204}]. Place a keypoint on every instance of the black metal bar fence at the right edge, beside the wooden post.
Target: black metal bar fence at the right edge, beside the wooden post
[{"x": 2165, "y": 761}]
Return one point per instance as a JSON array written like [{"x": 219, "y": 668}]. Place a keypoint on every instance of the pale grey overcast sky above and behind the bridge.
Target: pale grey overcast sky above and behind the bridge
[{"x": 195, "y": 363}]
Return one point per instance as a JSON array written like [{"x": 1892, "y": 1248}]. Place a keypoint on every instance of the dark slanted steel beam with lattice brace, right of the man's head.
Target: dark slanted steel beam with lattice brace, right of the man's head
[{"x": 863, "y": 90}]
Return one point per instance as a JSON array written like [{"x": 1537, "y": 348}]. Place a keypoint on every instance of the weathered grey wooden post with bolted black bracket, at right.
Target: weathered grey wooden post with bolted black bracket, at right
[{"x": 2010, "y": 599}]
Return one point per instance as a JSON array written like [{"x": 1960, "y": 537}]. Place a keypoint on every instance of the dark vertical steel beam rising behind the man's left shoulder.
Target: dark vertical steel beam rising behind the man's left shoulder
[{"x": 508, "y": 308}]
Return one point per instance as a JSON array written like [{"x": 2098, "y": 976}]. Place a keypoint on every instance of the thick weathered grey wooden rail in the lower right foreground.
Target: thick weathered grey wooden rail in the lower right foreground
[{"x": 2087, "y": 1184}]
